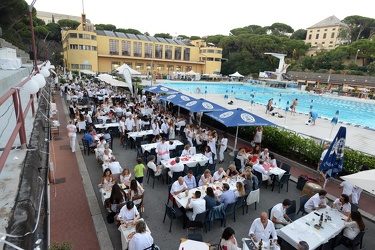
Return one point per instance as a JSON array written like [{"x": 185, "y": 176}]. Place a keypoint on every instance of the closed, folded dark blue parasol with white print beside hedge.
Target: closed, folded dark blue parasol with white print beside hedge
[{"x": 334, "y": 158}]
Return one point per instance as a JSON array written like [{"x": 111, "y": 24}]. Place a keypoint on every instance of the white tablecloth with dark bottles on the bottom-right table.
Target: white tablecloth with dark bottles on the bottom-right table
[{"x": 303, "y": 228}]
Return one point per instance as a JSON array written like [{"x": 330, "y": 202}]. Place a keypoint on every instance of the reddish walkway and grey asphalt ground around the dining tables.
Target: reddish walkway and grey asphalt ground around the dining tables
[{"x": 77, "y": 218}]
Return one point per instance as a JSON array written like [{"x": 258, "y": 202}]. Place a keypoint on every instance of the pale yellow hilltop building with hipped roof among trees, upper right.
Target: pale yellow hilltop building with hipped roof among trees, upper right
[{"x": 325, "y": 34}]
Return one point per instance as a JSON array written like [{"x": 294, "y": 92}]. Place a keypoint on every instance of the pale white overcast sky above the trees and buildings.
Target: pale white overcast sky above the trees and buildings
[{"x": 205, "y": 17}]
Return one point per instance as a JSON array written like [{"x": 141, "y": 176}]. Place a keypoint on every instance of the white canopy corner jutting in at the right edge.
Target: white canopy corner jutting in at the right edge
[{"x": 363, "y": 179}]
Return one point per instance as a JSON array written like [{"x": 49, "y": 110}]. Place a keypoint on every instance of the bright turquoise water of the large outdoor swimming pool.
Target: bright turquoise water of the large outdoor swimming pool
[{"x": 355, "y": 113}]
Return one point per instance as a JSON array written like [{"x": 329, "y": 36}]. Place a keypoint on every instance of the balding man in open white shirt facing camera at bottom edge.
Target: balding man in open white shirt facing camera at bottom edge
[{"x": 262, "y": 228}]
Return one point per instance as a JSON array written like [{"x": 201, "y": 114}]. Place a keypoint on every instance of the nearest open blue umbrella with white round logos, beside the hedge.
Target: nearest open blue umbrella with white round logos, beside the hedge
[{"x": 239, "y": 118}]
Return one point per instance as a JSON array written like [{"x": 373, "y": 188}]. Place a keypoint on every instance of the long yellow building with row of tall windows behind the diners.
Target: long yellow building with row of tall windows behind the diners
[{"x": 104, "y": 51}]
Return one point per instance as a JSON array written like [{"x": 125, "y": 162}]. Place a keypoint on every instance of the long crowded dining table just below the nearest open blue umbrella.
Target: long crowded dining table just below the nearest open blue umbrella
[{"x": 183, "y": 198}]
